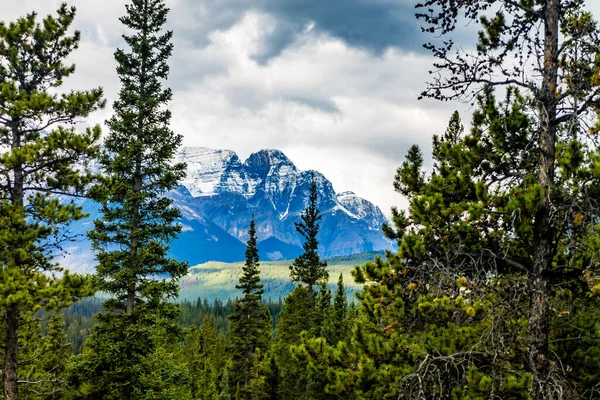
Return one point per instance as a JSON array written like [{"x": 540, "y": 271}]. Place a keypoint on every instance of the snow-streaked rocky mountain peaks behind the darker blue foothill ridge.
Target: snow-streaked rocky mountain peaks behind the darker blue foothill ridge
[{"x": 227, "y": 191}]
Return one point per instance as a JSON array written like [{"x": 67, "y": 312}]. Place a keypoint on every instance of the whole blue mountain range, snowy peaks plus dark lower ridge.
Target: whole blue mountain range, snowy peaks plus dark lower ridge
[{"x": 221, "y": 193}]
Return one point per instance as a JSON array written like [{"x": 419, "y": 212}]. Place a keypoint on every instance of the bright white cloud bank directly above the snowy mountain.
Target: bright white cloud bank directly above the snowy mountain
[{"x": 330, "y": 107}]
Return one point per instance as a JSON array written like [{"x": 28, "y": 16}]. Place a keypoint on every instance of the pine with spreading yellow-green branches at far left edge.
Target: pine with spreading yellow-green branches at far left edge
[{"x": 43, "y": 159}]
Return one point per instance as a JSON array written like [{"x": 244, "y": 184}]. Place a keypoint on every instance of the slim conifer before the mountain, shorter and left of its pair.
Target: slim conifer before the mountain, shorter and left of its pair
[{"x": 250, "y": 322}]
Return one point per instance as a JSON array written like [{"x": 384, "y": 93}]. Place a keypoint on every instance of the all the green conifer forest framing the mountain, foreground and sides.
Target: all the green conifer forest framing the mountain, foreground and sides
[{"x": 491, "y": 290}]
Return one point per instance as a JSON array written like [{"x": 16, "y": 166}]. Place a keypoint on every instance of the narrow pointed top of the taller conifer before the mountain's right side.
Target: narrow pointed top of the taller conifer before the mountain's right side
[{"x": 308, "y": 268}]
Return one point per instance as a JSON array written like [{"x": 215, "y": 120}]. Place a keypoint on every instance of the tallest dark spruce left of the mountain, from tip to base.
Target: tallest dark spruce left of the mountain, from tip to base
[{"x": 138, "y": 221}]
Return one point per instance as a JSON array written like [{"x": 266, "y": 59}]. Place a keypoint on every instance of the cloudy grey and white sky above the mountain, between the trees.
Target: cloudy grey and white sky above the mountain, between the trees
[{"x": 332, "y": 83}]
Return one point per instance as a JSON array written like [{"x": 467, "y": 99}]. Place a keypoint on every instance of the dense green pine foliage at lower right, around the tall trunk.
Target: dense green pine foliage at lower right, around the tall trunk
[{"x": 448, "y": 313}]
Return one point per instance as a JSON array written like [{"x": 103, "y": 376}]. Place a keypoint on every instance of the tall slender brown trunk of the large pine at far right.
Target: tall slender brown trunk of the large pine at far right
[{"x": 537, "y": 334}]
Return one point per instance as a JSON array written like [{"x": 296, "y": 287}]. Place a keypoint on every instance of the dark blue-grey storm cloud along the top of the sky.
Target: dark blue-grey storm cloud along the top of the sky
[{"x": 374, "y": 25}]
